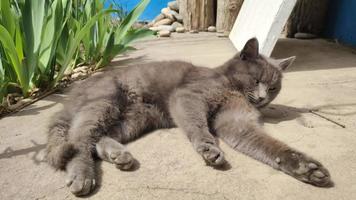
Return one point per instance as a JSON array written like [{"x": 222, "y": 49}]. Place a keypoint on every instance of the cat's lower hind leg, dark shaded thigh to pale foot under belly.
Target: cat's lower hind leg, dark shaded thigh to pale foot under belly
[{"x": 137, "y": 119}]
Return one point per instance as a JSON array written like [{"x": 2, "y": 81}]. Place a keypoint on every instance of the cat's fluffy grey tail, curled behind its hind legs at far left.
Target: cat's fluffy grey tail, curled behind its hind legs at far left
[{"x": 59, "y": 151}]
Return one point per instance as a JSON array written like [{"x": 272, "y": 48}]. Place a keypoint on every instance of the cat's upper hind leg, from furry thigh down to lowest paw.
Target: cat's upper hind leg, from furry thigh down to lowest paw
[{"x": 89, "y": 124}]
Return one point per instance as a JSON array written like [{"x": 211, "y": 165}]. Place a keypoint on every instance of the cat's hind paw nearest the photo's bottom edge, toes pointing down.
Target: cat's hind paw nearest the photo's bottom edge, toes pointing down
[{"x": 80, "y": 184}]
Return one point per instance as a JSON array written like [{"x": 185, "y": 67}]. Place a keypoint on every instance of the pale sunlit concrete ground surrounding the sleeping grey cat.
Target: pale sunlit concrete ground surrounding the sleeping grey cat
[{"x": 323, "y": 77}]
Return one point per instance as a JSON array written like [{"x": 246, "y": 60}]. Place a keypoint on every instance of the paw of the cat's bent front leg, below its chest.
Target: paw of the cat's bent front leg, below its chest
[{"x": 212, "y": 154}]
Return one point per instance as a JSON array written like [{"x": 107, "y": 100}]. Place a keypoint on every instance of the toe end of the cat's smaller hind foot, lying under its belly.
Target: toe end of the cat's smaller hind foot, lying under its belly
[{"x": 122, "y": 159}]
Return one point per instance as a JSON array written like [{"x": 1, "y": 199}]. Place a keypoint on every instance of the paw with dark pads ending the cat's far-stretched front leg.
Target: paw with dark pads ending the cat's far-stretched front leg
[{"x": 304, "y": 168}]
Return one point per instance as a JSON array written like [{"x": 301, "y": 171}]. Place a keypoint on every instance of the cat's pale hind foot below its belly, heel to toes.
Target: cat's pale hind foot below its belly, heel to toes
[{"x": 112, "y": 151}]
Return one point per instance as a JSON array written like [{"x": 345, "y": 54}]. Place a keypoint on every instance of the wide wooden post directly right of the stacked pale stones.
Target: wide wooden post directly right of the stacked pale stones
[{"x": 197, "y": 14}]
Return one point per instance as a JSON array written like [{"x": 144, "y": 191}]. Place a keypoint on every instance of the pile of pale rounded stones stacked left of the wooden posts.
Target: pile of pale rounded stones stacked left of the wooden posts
[{"x": 169, "y": 20}]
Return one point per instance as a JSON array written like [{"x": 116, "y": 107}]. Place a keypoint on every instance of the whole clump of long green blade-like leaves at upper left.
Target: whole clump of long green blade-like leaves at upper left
[{"x": 40, "y": 39}]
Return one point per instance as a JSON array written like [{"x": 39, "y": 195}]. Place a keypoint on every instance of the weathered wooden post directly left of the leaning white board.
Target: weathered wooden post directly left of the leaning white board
[{"x": 227, "y": 11}]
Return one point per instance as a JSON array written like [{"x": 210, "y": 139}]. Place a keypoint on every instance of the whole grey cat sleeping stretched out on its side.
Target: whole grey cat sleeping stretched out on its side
[{"x": 108, "y": 110}]
